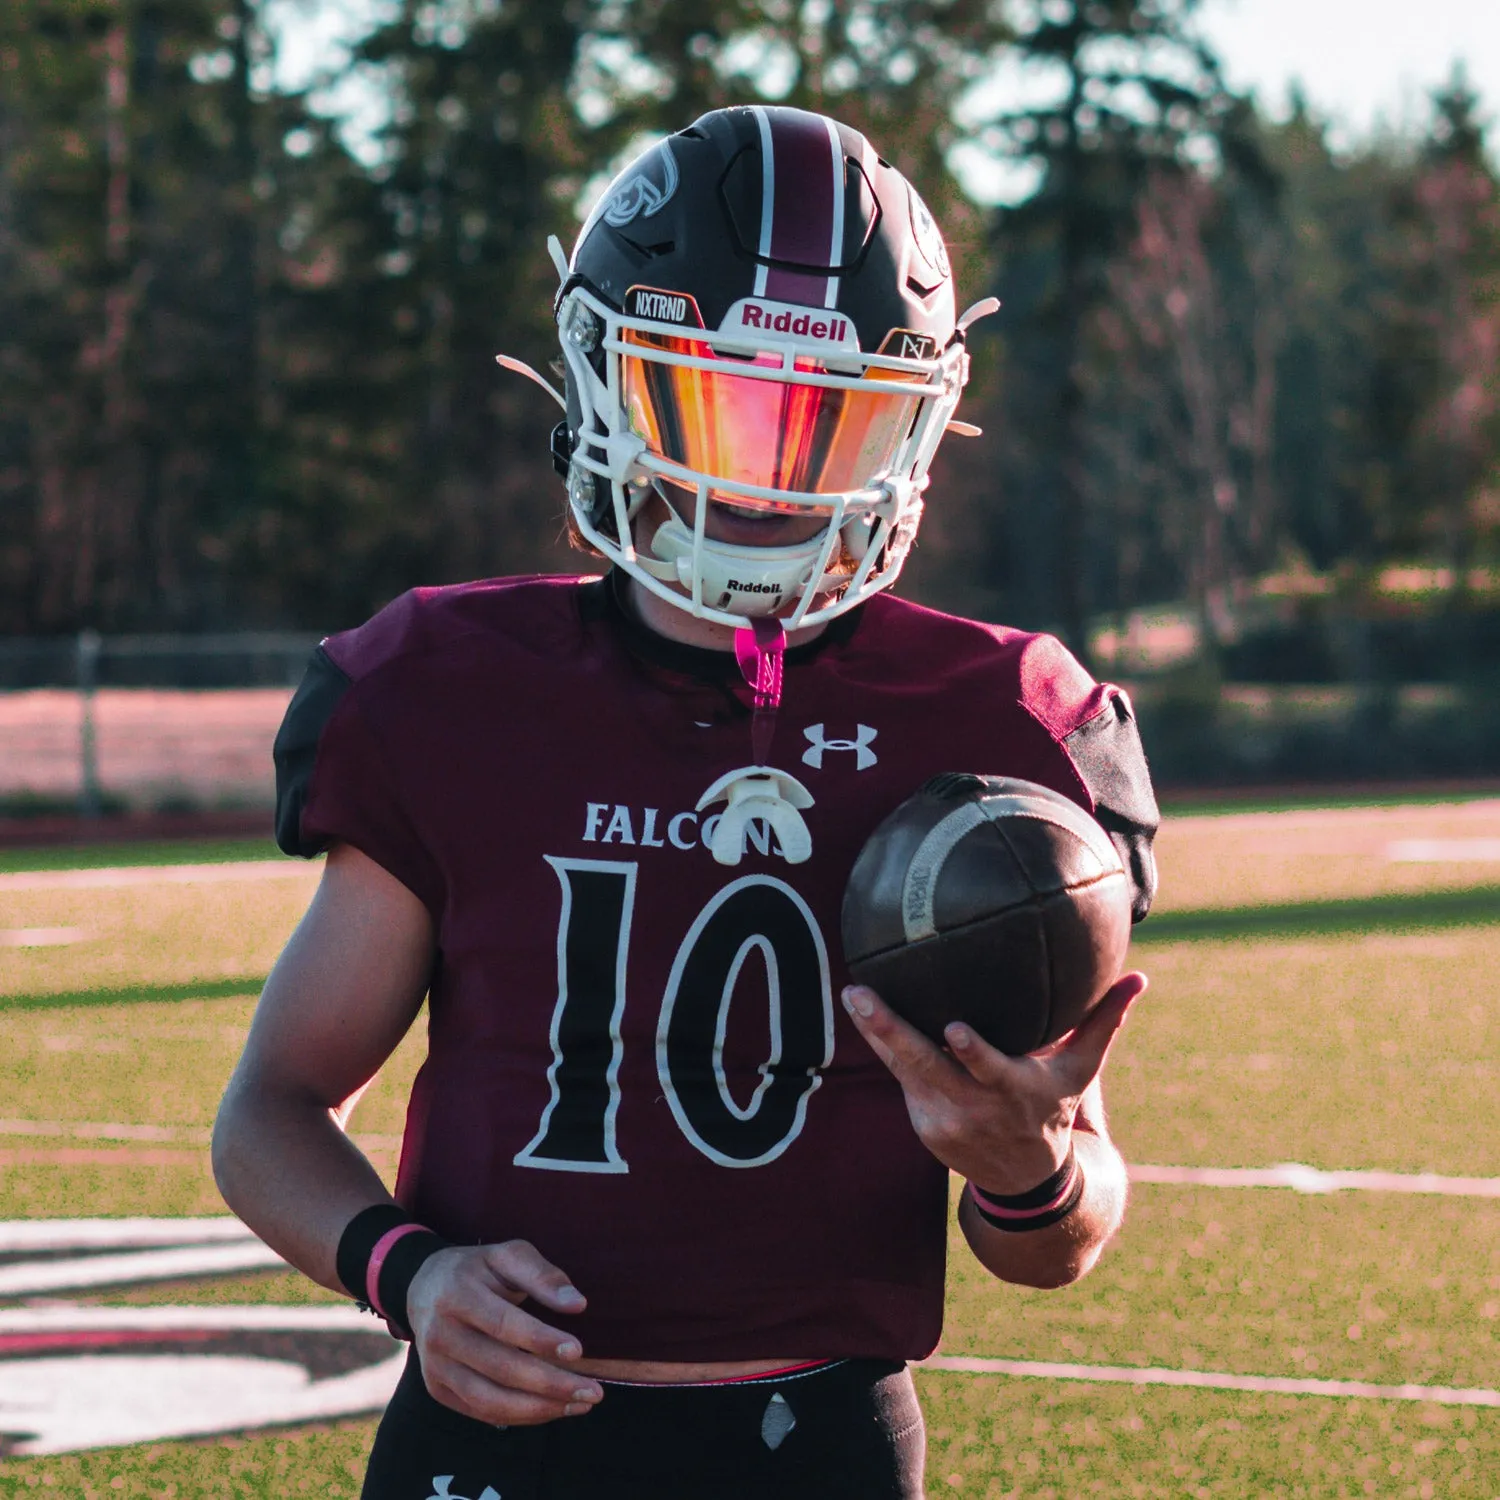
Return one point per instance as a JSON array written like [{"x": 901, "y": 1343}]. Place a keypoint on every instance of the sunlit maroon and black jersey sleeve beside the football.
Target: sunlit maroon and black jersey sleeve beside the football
[{"x": 1096, "y": 727}]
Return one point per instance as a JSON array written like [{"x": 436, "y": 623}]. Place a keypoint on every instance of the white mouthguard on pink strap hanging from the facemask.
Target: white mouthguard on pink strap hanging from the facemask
[{"x": 761, "y": 793}]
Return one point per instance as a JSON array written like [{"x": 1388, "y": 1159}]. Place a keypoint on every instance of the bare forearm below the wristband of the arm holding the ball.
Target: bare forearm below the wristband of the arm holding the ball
[{"x": 1061, "y": 1253}]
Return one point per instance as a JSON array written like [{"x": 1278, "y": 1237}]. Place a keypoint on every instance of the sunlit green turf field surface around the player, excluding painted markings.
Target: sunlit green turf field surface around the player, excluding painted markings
[{"x": 1312, "y": 1001}]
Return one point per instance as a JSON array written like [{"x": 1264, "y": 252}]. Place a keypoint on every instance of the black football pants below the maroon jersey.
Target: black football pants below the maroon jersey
[{"x": 845, "y": 1432}]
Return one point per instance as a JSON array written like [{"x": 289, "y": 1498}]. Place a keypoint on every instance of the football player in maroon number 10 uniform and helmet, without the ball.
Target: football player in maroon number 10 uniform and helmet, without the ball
[{"x": 671, "y": 1210}]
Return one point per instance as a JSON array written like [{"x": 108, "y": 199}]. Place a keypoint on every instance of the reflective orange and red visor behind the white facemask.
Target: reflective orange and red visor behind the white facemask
[{"x": 767, "y": 433}]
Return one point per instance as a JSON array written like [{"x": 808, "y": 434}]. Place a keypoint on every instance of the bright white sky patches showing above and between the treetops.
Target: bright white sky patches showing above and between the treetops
[{"x": 1364, "y": 65}]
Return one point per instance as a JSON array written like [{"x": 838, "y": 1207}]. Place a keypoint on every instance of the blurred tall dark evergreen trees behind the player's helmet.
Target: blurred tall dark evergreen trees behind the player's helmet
[{"x": 1240, "y": 409}]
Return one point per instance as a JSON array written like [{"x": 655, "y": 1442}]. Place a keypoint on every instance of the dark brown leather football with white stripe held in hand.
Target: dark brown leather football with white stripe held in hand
[{"x": 994, "y": 902}]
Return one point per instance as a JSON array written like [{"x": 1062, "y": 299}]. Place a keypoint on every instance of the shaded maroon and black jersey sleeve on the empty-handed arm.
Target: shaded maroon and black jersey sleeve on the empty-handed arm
[{"x": 334, "y": 784}]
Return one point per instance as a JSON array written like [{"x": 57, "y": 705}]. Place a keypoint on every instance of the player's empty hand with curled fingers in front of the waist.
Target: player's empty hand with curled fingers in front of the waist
[{"x": 481, "y": 1352}]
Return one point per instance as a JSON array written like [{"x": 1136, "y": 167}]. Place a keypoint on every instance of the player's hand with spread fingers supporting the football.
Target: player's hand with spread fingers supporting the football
[{"x": 1003, "y": 1123}]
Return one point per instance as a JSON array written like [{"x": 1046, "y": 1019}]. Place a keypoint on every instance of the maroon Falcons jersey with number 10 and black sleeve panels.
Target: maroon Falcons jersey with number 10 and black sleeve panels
[{"x": 635, "y": 1055}]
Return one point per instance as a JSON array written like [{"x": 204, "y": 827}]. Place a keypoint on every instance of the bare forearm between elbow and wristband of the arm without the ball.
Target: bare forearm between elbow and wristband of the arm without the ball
[{"x": 289, "y": 1171}]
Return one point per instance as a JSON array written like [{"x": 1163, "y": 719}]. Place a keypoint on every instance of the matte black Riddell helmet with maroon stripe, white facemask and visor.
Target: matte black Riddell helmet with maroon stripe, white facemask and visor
[{"x": 758, "y": 311}]
